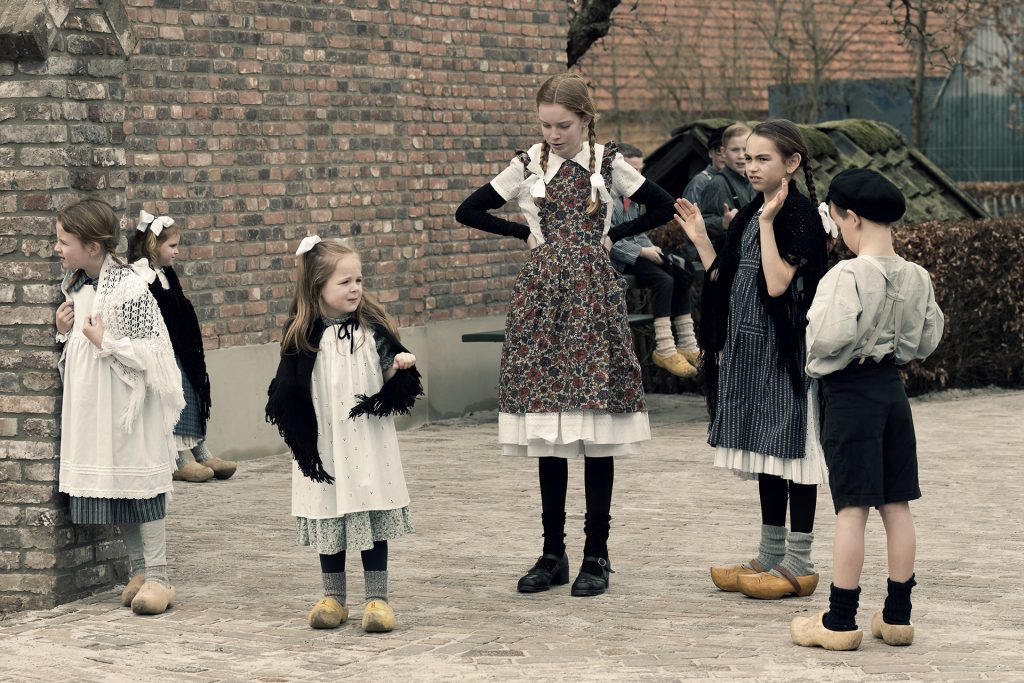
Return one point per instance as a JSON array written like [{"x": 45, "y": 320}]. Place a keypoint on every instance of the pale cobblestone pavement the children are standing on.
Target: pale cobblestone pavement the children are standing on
[{"x": 245, "y": 587}]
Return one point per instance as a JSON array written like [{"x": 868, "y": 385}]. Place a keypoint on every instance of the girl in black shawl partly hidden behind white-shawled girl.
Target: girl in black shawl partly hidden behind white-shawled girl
[{"x": 153, "y": 248}]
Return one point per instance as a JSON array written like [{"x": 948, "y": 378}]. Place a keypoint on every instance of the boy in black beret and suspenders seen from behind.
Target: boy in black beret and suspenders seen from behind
[{"x": 870, "y": 315}]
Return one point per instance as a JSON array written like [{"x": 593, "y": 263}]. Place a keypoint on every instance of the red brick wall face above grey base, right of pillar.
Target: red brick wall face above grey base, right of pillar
[{"x": 254, "y": 126}]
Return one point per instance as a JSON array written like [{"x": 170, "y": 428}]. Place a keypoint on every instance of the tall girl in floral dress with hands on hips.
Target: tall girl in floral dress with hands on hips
[{"x": 570, "y": 383}]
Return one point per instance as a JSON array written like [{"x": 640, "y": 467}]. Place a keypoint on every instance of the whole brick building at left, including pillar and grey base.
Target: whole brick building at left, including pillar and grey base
[{"x": 252, "y": 123}]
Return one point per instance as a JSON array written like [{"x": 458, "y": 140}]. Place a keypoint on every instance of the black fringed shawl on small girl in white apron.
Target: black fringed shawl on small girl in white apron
[{"x": 290, "y": 404}]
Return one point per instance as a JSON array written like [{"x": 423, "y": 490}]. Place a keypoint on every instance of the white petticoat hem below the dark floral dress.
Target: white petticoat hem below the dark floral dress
[{"x": 574, "y": 435}]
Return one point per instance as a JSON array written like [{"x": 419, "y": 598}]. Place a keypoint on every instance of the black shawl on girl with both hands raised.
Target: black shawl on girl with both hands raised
[{"x": 801, "y": 241}]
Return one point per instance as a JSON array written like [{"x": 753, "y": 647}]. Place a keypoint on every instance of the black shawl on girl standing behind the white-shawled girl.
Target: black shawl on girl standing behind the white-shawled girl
[{"x": 187, "y": 337}]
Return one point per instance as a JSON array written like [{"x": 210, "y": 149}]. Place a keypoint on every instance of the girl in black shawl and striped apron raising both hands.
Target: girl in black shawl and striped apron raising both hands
[{"x": 762, "y": 405}]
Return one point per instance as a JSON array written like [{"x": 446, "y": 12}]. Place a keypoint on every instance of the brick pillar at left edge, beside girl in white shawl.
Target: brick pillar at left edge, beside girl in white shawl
[{"x": 62, "y": 114}]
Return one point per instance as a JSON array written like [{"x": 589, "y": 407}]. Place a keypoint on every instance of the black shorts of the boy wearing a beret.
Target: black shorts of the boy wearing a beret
[{"x": 869, "y": 437}]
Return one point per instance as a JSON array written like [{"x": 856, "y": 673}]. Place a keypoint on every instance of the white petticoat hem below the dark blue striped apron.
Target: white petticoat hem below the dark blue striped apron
[{"x": 810, "y": 469}]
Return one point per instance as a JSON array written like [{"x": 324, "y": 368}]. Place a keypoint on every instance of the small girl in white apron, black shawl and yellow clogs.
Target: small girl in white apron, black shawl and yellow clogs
[{"x": 344, "y": 374}]
